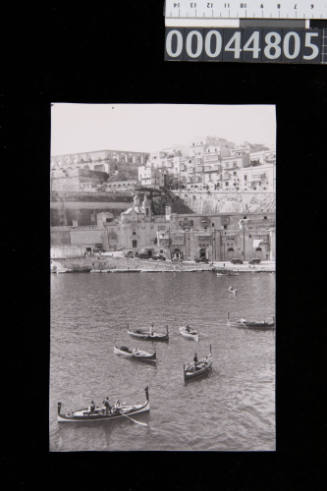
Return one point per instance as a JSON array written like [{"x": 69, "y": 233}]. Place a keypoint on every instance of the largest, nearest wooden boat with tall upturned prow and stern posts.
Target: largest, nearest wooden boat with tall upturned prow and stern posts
[{"x": 99, "y": 413}]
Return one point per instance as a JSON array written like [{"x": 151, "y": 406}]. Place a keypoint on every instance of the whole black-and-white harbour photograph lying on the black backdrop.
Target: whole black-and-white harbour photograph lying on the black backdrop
[{"x": 162, "y": 289}]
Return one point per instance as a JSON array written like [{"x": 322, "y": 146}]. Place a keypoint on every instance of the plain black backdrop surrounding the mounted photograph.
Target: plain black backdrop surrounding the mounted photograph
[{"x": 116, "y": 54}]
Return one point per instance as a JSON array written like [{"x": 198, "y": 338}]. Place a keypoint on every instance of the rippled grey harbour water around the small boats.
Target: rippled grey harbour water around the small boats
[{"x": 231, "y": 410}]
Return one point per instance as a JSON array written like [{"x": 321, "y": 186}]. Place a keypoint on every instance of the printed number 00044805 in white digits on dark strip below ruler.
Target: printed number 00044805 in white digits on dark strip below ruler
[{"x": 244, "y": 45}]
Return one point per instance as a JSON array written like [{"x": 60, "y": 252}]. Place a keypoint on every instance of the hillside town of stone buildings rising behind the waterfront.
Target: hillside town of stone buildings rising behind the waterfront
[{"x": 212, "y": 201}]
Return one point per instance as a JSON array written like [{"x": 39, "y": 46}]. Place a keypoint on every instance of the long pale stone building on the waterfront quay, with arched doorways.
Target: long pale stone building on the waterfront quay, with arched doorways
[{"x": 190, "y": 236}]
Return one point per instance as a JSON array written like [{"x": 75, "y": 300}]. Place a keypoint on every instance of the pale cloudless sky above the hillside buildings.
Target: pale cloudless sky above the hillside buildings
[{"x": 151, "y": 127}]
